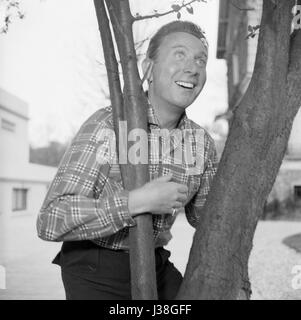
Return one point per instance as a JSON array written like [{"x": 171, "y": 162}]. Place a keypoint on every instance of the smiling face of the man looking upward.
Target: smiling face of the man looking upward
[{"x": 179, "y": 71}]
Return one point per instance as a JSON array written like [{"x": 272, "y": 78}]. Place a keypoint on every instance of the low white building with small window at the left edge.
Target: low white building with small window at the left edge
[{"x": 23, "y": 185}]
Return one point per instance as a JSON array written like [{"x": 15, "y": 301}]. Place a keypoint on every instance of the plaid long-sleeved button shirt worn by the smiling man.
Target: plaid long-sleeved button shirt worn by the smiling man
[{"x": 87, "y": 201}]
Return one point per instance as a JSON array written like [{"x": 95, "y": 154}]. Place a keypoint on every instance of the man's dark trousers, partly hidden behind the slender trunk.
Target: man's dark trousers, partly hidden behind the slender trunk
[{"x": 90, "y": 272}]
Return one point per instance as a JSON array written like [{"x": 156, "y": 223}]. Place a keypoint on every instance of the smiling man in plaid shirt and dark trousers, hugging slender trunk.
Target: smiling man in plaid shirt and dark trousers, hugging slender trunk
[{"x": 87, "y": 206}]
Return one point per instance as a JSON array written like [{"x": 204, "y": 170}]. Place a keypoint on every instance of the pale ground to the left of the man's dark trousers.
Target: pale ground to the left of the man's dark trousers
[{"x": 30, "y": 274}]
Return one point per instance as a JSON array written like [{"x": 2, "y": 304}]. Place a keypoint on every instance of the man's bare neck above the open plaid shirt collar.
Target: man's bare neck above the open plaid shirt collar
[{"x": 168, "y": 116}]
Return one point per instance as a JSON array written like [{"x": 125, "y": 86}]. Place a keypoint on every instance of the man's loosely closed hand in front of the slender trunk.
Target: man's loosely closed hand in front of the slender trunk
[{"x": 159, "y": 196}]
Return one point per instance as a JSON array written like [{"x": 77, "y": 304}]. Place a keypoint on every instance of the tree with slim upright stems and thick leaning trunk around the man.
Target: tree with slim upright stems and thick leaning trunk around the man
[{"x": 218, "y": 261}]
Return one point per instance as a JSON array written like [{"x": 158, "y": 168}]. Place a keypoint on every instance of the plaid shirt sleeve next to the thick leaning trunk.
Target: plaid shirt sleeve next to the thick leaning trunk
[{"x": 194, "y": 207}]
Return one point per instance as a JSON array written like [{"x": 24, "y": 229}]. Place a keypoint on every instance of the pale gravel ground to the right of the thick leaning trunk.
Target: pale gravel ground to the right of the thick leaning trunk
[{"x": 271, "y": 262}]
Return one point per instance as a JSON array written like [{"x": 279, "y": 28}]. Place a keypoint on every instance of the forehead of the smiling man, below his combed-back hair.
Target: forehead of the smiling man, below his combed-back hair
[{"x": 184, "y": 39}]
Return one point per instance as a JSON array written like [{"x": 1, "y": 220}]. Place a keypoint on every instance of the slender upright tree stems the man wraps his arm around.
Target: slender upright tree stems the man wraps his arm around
[{"x": 131, "y": 107}]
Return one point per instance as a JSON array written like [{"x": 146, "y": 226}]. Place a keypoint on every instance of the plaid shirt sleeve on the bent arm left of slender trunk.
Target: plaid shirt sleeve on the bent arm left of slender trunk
[{"x": 74, "y": 207}]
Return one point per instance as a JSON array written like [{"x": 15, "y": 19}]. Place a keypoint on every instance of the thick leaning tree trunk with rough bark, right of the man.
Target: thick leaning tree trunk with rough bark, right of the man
[{"x": 218, "y": 261}]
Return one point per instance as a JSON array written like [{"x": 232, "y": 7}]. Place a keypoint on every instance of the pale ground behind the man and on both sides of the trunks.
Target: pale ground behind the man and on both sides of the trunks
[{"x": 30, "y": 274}]
